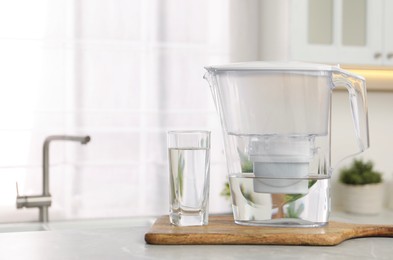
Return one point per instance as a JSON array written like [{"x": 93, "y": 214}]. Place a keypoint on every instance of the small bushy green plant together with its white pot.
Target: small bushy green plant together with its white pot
[{"x": 363, "y": 188}]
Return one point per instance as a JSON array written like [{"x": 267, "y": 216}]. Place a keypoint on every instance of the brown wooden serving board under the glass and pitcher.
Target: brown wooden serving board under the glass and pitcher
[{"x": 222, "y": 230}]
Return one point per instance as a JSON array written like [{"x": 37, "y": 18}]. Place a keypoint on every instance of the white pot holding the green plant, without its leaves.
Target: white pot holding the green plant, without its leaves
[{"x": 363, "y": 199}]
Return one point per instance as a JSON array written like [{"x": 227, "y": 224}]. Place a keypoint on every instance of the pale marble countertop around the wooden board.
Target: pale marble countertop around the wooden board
[{"x": 125, "y": 240}]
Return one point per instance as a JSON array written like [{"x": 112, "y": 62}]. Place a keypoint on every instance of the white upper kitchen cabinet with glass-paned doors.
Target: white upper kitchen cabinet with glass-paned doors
[{"x": 355, "y": 32}]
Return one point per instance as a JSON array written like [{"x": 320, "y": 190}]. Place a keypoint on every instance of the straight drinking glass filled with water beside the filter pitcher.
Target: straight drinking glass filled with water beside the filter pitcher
[{"x": 189, "y": 168}]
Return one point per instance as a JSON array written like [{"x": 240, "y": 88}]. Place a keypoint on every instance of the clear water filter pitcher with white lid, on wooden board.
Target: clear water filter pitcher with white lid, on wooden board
[{"x": 276, "y": 123}]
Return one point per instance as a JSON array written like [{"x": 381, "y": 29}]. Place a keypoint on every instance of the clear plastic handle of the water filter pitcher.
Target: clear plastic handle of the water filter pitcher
[{"x": 356, "y": 86}]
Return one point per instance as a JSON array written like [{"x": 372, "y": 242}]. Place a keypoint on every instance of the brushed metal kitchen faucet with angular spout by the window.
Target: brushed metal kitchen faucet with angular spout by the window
[{"x": 44, "y": 201}]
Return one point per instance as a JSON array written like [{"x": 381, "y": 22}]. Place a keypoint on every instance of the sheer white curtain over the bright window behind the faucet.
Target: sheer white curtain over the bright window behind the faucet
[{"x": 123, "y": 72}]
